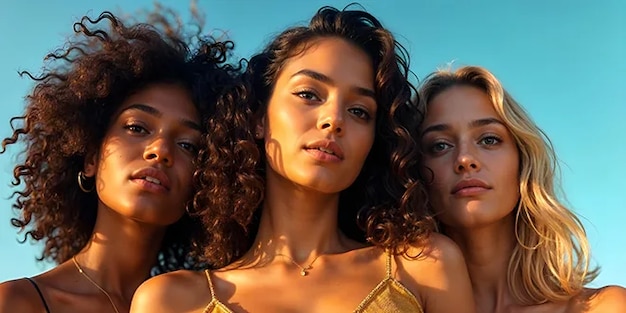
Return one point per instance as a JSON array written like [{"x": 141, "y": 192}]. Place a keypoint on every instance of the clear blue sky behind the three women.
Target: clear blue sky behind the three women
[{"x": 565, "y": 61}]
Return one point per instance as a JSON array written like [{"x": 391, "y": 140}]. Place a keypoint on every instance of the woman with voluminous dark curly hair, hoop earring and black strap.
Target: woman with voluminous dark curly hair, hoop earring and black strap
[{"x": 111, "y": 133}]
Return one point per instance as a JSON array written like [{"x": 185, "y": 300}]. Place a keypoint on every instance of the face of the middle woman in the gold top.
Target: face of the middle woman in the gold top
[{"x": 320, "y": 120}]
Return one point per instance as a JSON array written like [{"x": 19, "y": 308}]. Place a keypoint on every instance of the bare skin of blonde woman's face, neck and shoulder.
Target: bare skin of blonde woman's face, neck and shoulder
[{"x": 473, "y": 161}]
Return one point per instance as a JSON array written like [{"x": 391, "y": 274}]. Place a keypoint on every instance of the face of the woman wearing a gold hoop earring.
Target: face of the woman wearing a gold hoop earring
[{"x": 145, "y": 164}]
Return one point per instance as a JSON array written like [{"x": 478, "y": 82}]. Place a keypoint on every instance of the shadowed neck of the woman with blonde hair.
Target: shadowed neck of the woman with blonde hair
[{"x": 487, "y": 251}]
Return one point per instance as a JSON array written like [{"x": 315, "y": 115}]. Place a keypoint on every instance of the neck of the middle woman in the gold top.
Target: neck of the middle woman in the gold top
[{"x": 298, "y": 222}]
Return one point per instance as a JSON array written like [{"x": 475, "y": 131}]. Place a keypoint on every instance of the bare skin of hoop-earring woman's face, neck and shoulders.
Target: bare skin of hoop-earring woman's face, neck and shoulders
[{"x": 154, "y": 131}]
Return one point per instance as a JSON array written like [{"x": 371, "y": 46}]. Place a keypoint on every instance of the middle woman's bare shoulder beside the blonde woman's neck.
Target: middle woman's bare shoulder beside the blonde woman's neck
[{"x": 435, "y": 272}]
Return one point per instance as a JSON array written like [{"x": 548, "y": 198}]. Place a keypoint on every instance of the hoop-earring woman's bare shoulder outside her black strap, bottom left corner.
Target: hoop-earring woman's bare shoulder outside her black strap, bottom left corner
[{"x": 19, "y": 296}]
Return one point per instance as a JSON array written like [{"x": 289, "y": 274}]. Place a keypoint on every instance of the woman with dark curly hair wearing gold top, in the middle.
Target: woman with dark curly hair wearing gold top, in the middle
[{"x": 315, "y": 207}]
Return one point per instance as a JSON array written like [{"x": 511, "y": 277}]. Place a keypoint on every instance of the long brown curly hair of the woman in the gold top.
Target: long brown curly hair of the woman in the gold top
[{"x": 391, "y": 214}]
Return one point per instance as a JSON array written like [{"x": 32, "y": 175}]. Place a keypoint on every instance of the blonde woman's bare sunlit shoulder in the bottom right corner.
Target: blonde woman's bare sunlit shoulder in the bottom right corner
[{"x": 606, "y": 300}]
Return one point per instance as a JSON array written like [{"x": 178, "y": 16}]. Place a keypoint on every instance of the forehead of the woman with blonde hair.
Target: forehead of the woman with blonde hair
[{"x": 459, "y": 103}]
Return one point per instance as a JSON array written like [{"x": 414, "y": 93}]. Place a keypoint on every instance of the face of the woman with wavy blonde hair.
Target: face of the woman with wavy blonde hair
[{"x": 473, "y": 157}]
